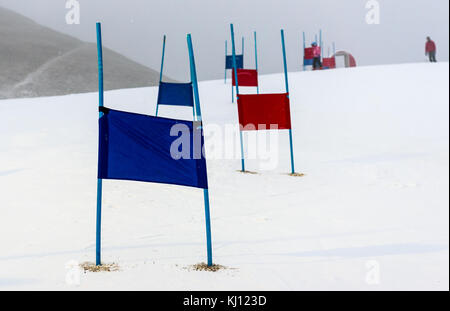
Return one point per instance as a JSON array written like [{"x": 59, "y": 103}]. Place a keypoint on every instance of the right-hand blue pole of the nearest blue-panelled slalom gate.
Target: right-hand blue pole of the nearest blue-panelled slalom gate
[{"x": 199, "y": 118}]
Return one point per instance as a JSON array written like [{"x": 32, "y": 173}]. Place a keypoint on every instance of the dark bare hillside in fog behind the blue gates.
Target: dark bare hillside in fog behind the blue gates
[{"x": 37, "y": 61}]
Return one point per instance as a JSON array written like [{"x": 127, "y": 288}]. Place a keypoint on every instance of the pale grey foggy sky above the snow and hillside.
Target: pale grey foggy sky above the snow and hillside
[{"x": 135, "y": 29}]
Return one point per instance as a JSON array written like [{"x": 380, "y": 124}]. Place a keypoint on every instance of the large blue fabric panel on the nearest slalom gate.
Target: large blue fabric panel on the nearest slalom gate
[{"x": 138, "y": 147}]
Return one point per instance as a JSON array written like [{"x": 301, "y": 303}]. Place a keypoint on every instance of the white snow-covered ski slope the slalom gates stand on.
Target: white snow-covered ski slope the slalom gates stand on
[{"x": 371, "y": 213}]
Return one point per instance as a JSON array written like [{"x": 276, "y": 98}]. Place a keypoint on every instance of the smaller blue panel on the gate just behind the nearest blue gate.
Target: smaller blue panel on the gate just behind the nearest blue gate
[{"x": 176, "y": 94}]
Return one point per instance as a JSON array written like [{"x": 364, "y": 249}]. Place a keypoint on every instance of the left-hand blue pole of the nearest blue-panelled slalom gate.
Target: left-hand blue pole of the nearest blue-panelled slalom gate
[{"x": 99, "y": 180}]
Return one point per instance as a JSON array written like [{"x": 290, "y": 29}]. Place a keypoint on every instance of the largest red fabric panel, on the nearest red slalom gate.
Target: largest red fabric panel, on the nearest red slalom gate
[{"x": 267, "y": 110}]
